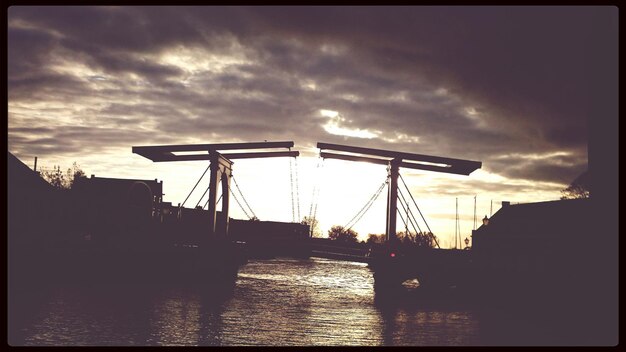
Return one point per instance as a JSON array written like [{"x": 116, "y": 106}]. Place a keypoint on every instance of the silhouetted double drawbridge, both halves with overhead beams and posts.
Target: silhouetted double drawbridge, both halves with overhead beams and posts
[{"x": 390, "y": 264}]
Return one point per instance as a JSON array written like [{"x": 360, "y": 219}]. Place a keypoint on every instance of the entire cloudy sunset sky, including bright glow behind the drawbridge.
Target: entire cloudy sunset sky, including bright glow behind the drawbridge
[{"x": 506, "y": 86}]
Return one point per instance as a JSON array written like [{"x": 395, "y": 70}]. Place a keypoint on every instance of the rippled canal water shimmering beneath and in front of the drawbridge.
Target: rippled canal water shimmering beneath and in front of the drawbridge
[{"x": 274, "y": 302}]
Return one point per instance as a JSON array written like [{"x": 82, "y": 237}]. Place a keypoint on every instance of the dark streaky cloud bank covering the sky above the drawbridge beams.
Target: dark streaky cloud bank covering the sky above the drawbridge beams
[{"x": 466, "y": 82}]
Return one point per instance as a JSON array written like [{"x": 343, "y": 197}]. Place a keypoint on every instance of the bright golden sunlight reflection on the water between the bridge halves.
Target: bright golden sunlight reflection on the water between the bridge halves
[{"x": 313, "y": 302}]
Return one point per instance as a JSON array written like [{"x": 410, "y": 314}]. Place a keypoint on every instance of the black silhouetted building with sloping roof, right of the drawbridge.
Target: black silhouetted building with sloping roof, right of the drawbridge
[{"x": 535, "y": 238}]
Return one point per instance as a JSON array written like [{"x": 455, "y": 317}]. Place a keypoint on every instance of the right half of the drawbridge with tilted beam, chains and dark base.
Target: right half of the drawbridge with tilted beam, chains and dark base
[{"x": 392, "y": 265}]
